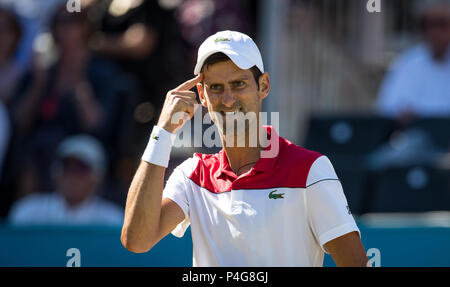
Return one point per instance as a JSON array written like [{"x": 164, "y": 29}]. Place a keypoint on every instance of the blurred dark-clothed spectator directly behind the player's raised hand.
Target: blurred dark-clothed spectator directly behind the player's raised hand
[{"x": 144, "y": 39}]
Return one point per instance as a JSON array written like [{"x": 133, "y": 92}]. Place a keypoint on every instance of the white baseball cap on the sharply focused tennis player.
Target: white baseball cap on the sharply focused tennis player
[{"x": 239, "y": 47}]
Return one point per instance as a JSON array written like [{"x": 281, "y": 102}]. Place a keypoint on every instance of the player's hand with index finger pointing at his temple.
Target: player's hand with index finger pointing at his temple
[{"x": 180, "y": 100}]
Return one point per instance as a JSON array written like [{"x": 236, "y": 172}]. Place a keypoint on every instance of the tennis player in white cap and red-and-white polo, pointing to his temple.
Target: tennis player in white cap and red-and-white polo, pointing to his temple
[{"x": 245, "y": 208}]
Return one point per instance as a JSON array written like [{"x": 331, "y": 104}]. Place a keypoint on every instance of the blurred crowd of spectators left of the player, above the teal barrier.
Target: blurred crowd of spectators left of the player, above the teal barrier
[{"x": 81, "y": 85}]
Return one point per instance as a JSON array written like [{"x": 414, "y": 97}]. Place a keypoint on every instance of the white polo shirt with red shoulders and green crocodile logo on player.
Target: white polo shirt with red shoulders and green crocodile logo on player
[{"x": 280, "y": 213}]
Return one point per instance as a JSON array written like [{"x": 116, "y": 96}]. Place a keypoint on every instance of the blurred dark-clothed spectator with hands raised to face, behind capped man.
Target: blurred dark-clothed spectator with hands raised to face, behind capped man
[{"x": 77, "y": 94}]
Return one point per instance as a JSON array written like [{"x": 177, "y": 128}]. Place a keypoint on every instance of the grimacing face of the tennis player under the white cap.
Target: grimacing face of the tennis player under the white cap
[{"x": 230, "y": 92}]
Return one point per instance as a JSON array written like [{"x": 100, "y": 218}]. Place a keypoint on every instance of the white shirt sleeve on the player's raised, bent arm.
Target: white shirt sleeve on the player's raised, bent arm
[{"x": 176, "y": 189}]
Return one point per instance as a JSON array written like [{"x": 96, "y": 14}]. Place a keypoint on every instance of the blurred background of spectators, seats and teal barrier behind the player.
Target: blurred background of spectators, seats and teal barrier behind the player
[{"x": 80, "y": 92}]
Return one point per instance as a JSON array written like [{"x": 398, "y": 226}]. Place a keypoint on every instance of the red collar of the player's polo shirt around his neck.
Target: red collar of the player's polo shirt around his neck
[{"x": 263, "y": 164}]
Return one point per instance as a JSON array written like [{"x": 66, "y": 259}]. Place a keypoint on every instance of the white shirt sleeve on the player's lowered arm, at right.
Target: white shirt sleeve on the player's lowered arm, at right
[{"x": 327, "y": 208}]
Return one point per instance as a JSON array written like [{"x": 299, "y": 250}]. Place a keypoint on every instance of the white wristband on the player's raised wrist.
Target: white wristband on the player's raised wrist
[{"x": 159, "y": 147}]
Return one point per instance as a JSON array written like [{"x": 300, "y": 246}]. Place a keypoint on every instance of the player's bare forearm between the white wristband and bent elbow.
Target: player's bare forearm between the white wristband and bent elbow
[{"x": 143, "y": 208}]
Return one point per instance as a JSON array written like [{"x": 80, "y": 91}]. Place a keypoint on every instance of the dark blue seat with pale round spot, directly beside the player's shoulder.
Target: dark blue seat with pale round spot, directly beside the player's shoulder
[{"x": 346, "y": 139}]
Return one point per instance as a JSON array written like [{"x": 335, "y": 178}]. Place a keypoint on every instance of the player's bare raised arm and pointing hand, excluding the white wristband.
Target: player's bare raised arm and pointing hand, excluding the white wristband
[{"x": 149, "y": 218}]
